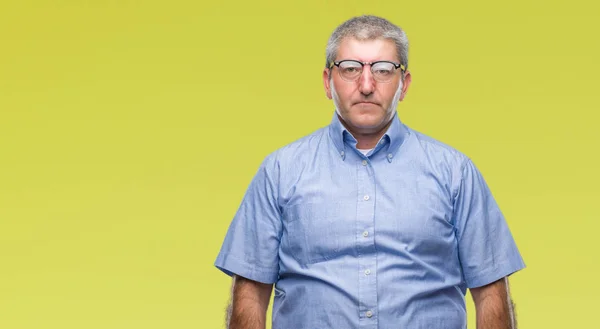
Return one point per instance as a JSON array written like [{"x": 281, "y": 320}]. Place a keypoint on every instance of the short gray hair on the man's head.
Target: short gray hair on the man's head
[{"x": 367, "y": 27}]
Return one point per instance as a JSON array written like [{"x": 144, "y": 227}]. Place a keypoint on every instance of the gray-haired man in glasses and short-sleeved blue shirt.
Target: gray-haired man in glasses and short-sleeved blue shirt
[{"x": 367, "y": 223}]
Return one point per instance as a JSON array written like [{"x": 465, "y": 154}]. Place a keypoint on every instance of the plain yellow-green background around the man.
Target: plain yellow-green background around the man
[{"x": 129, "y": 131}]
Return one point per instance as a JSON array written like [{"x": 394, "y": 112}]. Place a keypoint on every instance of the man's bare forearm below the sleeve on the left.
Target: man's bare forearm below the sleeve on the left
[{"x": 249, "y": 303}]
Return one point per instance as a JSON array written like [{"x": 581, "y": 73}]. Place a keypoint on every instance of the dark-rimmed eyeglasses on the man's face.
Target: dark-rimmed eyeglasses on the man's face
[{"x": 383, "y": 71}]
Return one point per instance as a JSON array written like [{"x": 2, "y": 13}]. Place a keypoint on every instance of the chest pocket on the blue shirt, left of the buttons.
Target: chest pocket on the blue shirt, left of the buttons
[{"x": 317, "y": 232}]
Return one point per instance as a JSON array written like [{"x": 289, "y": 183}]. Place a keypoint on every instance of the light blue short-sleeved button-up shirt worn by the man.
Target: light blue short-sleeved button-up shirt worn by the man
[{"x": 387, "y": 240}]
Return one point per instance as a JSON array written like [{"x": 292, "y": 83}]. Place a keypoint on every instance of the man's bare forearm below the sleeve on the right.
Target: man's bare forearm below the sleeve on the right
[{"x": 493, "y": 306}]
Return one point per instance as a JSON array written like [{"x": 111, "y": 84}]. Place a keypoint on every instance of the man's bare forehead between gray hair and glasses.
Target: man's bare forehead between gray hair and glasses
[{"x": 367, "y": 50}]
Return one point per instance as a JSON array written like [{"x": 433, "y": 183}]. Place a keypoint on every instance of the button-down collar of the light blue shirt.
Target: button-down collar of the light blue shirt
[{"x": 395, "y": 134}]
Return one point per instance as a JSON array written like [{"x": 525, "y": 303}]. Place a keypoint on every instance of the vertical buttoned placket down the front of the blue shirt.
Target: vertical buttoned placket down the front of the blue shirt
[{"x": 367, "y": 261}]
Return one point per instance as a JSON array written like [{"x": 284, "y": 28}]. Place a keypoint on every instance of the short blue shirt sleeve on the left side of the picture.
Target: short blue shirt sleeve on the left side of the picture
[{"x": 251, "y": 245}]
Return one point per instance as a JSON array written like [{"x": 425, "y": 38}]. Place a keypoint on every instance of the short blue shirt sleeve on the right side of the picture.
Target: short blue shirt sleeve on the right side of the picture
[{"x": 486, "y": 247}]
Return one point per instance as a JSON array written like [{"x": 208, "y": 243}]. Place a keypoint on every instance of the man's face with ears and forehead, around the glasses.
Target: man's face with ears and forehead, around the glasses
[{"x": 365, "y": 105}]
